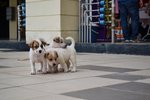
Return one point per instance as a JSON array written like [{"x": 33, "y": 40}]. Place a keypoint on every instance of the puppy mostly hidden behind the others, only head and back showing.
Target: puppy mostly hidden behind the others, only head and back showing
[{"x": 58, "y": 42}]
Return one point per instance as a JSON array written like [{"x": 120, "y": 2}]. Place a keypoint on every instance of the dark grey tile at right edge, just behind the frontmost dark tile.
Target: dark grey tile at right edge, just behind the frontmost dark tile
[{"x": 133, "y": 86}]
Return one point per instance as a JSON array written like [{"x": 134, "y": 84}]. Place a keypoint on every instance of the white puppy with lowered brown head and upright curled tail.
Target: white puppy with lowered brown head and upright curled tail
[{"x": 62, "y": 56}]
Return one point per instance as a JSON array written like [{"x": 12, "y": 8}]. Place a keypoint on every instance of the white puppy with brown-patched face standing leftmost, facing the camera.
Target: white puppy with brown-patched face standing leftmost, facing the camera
[{"x": 36, "y": 55}]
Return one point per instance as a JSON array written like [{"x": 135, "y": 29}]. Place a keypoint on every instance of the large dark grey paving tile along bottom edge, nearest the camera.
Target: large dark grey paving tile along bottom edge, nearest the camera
[{"x": 101, "y": 93}]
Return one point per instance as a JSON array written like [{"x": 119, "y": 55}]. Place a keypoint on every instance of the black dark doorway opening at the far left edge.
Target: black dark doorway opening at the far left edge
[{"x": 4, "y": 24}]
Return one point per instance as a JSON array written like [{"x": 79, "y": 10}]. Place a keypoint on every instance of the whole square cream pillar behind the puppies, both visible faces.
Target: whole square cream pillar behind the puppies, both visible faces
[{"x": 49, "y": 18}]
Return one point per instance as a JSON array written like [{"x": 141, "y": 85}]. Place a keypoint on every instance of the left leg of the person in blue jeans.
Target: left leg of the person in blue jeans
[{"x": 124, "y": 17}]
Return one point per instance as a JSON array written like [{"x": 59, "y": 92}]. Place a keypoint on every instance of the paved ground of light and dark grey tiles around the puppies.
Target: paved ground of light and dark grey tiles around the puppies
[{"x": 99, "y": 77}]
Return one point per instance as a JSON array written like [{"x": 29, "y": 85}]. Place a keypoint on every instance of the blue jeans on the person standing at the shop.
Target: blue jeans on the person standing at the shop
[{"x": 129, "y": 9}]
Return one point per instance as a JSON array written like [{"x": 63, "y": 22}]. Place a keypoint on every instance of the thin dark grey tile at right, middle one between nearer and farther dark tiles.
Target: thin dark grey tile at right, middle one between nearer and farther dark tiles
[{"x": 125, "y": 76}]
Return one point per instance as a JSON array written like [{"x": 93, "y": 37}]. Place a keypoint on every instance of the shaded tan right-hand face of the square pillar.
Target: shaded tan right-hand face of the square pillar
[{"x": 70, "y": 18}]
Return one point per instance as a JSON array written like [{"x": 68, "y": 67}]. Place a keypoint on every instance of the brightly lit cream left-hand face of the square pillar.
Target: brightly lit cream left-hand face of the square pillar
[{"x": 42, "y": 19}]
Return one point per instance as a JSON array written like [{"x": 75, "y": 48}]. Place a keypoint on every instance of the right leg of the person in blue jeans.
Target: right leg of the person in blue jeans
[{"x": 134, "y": 14}]
